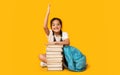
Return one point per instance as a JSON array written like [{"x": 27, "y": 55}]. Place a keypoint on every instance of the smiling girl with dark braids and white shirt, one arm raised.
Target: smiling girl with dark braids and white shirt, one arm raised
[{"x": 55, "y": 35}]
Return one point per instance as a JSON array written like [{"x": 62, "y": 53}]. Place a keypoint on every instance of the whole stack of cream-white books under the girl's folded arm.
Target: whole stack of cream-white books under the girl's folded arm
[{"x": 54, "y": 57}]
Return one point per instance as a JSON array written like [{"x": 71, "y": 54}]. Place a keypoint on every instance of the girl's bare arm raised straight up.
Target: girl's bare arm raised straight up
[{"x": 46, "y": 21}]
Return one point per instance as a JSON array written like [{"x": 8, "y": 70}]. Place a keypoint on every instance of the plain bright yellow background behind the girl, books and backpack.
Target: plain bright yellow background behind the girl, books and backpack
[{"x": 86, "y": 22}]
